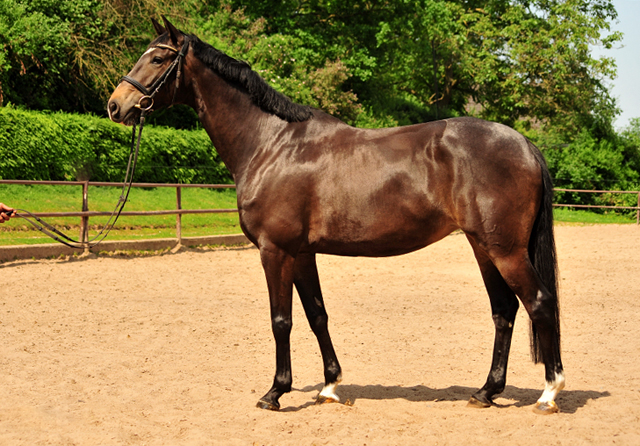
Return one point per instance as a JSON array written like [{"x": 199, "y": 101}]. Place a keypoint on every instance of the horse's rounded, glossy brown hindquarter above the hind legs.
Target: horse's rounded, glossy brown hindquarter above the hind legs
[{"x": 497, "y": 186}]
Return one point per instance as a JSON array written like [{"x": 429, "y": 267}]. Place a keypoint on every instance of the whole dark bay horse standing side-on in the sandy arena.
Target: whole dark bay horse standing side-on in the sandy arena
[{"x": 308, "y": 183}]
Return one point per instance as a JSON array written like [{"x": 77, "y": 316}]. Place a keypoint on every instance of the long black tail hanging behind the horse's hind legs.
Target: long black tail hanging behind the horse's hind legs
[{"x": 542, "y": 251}]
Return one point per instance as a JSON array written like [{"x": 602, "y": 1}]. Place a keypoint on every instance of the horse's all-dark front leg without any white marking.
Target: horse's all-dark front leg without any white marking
[{"x": 278, "y": 268}]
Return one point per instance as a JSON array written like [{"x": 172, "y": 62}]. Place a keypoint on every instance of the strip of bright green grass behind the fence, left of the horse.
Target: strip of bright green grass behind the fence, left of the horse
[{"x": 41, "y": 198}]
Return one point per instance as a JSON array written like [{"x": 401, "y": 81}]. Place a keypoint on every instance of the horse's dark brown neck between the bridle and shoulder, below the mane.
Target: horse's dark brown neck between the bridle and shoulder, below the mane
[{"x": 235, "y": 125}]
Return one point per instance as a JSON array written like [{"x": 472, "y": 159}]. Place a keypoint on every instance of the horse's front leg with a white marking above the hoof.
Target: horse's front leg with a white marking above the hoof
[{"x": 308, "y": 285}]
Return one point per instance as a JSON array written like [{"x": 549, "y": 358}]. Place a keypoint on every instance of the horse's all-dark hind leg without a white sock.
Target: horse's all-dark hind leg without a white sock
[{"x": 504, "y": 306}]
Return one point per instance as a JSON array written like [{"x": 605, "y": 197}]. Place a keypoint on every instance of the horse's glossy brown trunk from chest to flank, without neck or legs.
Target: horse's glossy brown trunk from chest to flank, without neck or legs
[{"x": 369, "y": 192}]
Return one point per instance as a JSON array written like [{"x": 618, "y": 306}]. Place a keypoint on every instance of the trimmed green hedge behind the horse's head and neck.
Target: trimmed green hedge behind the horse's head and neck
[{"x": 59, "y": 146}]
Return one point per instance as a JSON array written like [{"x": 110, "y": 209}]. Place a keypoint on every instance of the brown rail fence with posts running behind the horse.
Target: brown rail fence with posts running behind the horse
[{"x": 85, "y": 214}]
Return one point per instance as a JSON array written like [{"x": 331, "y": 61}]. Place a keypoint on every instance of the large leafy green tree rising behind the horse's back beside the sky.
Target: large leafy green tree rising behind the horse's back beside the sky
[{"x": 519, "y": 62}]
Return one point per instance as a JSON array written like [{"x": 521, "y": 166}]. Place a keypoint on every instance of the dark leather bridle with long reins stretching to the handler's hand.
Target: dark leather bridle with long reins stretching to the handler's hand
[{"x": 145, "y": 104}]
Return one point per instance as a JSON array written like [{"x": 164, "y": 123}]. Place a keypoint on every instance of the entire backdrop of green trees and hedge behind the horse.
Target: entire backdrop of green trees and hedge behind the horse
[{"x": 372, "y": 63}]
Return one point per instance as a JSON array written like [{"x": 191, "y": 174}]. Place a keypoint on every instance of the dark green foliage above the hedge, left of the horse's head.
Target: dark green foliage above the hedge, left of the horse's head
[{"x": 69, "y": 54}]
